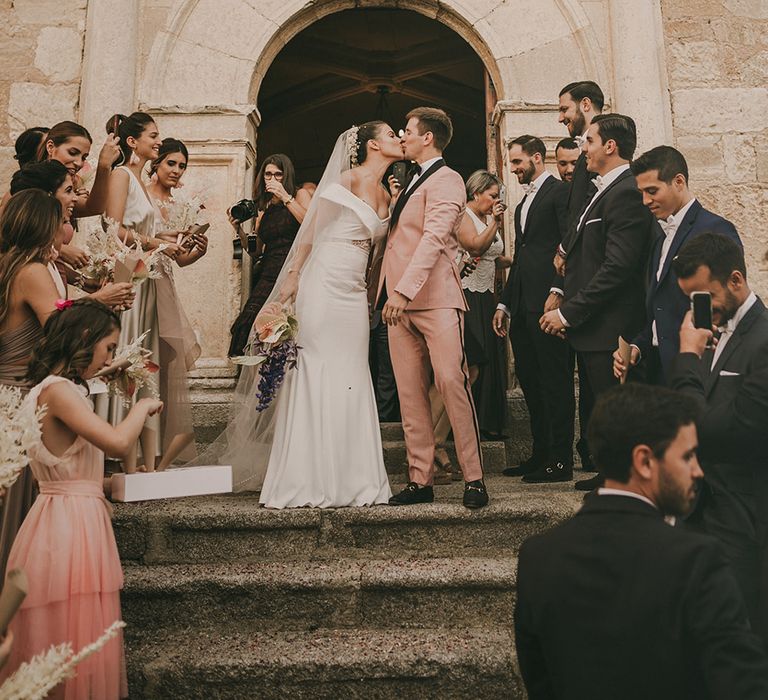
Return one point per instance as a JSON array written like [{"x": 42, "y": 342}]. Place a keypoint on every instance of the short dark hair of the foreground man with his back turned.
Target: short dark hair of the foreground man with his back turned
[{"x": 635, "y": 414}]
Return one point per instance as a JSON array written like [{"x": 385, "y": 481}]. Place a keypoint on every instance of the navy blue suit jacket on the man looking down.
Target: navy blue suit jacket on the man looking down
[{"x": 665, "y": 301}]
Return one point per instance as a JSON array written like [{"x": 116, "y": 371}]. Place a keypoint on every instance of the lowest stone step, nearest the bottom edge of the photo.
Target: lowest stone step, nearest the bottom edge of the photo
[{"x": 327, "y": 665}]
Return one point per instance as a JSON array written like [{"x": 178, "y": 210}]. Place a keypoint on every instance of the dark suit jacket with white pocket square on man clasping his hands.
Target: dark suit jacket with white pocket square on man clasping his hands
[{"x": 605, "y": 272}]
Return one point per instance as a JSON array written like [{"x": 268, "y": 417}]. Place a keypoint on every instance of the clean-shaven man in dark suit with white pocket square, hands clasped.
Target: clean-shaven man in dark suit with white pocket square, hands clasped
[{"x": 604, "y": 291}]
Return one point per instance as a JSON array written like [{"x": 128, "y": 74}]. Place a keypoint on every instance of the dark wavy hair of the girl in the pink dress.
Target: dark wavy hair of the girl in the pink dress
[{"x": 69, "y": 338}]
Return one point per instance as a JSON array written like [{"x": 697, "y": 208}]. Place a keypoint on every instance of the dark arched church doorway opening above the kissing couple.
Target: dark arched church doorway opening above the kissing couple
[{"x": 362, "y": 64}]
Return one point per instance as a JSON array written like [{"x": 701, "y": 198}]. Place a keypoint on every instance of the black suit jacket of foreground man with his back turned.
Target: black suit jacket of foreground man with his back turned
[{"x": 615, "y": 603}]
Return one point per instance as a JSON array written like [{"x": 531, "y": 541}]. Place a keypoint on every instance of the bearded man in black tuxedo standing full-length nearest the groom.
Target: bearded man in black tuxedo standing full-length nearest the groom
[{"x": 542, "y": 362}]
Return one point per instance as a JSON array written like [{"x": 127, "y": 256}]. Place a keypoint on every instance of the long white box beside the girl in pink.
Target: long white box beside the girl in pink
[{"x": 172, "y": 483}]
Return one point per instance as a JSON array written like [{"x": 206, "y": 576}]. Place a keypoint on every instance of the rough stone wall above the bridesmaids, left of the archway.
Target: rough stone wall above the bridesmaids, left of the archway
[{"x": 41, "y": 52}]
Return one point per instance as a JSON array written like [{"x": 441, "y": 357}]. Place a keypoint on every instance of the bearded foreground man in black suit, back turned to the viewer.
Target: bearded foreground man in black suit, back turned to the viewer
[{"x": 616, "y": 603}]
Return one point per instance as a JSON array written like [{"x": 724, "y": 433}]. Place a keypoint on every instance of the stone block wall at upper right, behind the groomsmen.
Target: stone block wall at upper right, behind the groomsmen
[{"x": 717, "y": 62}]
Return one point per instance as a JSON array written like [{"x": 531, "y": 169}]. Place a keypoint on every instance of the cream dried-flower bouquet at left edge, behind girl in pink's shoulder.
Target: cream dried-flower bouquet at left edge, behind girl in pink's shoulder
[{"x": 19, "y": 430}]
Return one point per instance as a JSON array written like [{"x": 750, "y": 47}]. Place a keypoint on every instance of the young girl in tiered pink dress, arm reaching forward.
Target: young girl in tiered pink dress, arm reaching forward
[{"x": 66, "y": 545}]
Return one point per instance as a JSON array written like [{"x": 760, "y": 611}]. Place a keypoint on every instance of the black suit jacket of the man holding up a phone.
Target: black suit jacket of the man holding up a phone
[{"x": 733, "y": 394}]
